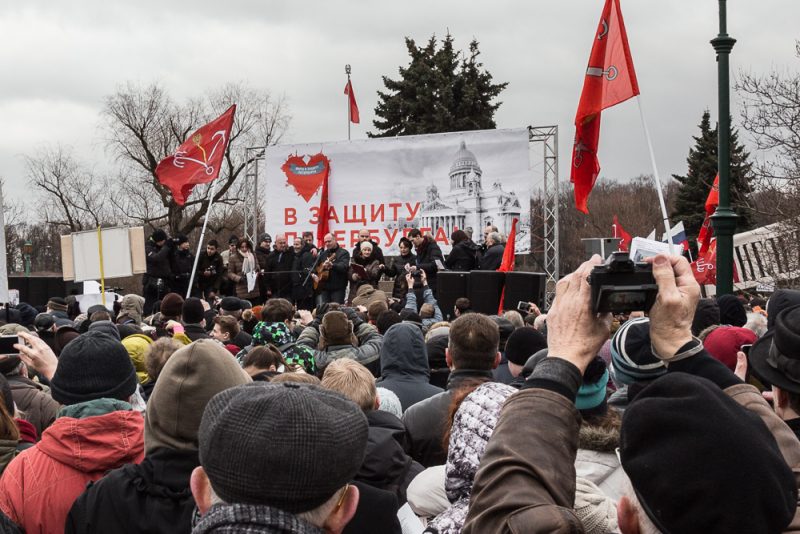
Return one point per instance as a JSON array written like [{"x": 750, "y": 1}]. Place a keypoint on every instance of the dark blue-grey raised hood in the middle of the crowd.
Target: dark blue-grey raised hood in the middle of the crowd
[{"x": 403, "y": 352}]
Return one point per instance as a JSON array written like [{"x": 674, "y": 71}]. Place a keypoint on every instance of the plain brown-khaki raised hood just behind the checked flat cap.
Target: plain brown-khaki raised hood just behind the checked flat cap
[{"x": 189, "y": 379}]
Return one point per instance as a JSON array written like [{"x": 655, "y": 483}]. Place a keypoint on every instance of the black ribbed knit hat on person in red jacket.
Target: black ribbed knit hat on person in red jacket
[{"x": 93, "y": 366}]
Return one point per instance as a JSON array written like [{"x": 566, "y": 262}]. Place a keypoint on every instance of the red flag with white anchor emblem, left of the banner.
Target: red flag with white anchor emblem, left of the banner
[{"x": 198, "y": 159}]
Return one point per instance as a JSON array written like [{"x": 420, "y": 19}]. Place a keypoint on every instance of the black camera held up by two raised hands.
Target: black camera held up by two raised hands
[{"x": 621, "y": 286}]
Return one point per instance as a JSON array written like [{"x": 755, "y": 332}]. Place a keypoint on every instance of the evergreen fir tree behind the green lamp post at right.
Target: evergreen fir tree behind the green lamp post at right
[{"x": 702, "y": 168}]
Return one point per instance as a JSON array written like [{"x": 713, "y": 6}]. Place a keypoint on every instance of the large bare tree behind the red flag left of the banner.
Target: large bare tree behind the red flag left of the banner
[{"x": 144, "y": 125}]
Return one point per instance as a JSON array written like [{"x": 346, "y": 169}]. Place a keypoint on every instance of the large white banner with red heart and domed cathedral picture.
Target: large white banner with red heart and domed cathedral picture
[{"x": 437, "y": 183}]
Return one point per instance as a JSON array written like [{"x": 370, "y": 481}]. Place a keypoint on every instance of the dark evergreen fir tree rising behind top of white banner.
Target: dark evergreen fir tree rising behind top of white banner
[{"x": 437, "y": 92}]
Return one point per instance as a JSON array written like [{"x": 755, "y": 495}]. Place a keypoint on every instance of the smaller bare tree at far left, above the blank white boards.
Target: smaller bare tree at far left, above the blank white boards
[{"x": 74, "y": 197}]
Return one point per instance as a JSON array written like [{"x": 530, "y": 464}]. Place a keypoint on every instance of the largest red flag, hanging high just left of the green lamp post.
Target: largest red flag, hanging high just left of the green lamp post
[{"x": 609, "y": 80}]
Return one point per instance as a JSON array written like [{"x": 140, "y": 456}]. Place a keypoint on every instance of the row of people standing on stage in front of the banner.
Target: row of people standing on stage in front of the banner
[{"x": 301, "y": 272}]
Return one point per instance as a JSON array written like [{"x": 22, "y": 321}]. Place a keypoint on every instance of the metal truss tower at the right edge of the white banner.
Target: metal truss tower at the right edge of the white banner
[{"x": 548, "y": 136}]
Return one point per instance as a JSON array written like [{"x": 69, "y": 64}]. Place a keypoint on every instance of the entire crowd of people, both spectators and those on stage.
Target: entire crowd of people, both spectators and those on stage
[{"x": 351, "y": 409}]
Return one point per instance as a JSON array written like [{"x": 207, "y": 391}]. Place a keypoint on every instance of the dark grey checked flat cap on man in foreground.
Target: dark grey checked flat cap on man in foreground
[{"x": 287, "y": 445}]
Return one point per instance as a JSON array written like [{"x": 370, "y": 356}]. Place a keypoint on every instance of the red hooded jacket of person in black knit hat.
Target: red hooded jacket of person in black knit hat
[{"x": 40, "y": 485}]
